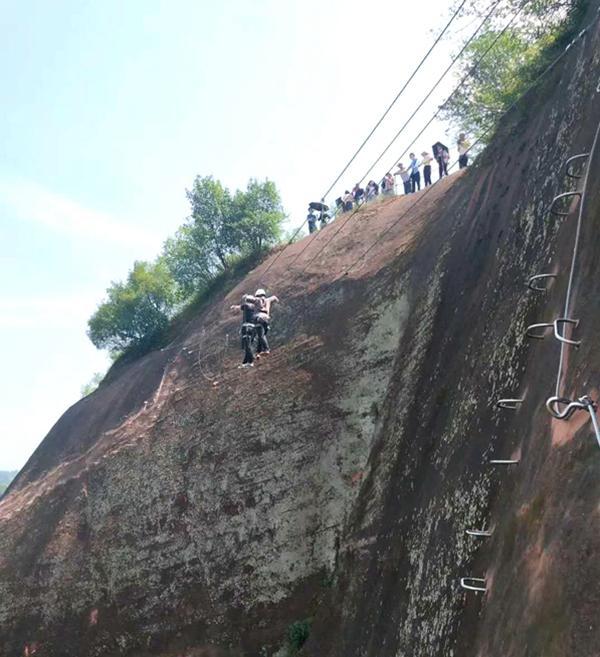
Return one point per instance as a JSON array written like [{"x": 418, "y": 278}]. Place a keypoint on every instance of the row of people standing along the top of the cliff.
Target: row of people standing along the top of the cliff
[{"x": 406, "y": 179}]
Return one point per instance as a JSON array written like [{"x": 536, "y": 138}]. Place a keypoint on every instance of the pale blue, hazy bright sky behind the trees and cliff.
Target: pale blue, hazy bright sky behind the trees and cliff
[{"x": 109, "y": 110}]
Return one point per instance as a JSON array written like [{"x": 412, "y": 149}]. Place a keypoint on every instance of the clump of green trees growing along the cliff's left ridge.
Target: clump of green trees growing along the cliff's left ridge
[{"x": 224, "y": 230}]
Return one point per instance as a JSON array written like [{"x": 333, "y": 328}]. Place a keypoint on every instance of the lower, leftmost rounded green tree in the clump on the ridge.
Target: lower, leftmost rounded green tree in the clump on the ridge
[{"x": 135, "y": 313}]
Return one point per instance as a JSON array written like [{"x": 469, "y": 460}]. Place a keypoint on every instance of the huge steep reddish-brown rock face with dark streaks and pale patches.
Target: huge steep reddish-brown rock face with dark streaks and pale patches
[{"x": 190, "y": 508}]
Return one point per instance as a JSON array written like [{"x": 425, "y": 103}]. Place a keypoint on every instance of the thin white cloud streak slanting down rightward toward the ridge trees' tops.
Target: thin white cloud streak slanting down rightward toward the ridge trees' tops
[{"x": 31, "y": 202}]
